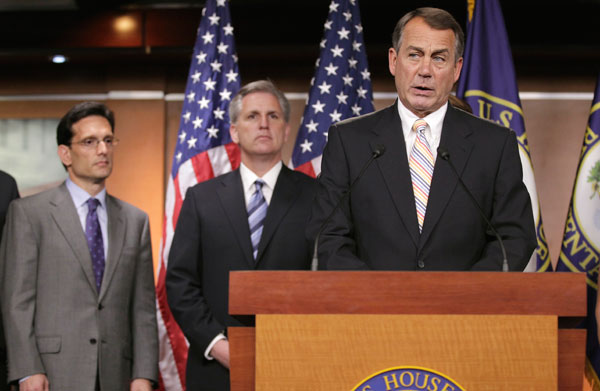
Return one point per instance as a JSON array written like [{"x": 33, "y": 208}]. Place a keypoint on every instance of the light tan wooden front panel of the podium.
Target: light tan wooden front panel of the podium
[{"x": 340, "y": 352}]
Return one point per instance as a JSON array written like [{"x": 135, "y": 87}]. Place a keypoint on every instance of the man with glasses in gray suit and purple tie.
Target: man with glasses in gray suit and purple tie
[{"x": 78, "y": 290}]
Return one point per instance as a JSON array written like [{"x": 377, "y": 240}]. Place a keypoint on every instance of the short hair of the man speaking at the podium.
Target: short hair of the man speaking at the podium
[{"x": 437, "y": 19}]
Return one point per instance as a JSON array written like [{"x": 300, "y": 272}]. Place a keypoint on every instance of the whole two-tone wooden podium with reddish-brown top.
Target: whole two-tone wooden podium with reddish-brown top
[{"x": 332, "y": 330}]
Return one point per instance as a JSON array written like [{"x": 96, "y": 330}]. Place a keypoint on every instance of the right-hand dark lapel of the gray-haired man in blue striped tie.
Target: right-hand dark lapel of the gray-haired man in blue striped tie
[{"x": 284, "y": 196}]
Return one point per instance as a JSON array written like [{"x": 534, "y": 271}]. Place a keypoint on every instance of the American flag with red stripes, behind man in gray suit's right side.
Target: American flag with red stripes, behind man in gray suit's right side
[{"x": 204, "y": 150}]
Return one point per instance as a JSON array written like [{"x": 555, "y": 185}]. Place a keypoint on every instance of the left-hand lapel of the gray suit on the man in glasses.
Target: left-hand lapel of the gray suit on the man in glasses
[{"x": 65, "y": 215}]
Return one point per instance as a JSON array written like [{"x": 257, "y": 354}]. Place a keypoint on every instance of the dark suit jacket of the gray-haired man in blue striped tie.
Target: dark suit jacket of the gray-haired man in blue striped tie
[{"x": 211, "y": 239}]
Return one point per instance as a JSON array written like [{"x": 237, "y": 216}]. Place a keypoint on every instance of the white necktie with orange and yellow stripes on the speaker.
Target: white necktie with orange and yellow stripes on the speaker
[{"x": 421, "y": 170}]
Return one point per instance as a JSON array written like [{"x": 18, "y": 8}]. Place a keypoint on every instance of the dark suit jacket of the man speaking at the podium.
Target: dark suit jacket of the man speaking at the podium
[{"x": 377, "y": 228}]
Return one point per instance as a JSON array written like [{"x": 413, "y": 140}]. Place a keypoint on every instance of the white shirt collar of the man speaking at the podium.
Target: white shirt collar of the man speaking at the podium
[{"x": 433, "y": 133}]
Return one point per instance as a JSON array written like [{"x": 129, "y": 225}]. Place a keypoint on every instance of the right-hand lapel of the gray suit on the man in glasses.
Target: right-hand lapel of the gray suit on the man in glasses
[{"x": 116, "y": 235}]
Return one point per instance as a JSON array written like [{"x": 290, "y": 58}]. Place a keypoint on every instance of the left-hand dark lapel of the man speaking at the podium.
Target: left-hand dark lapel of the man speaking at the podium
[{"x": 394, "y": 168}]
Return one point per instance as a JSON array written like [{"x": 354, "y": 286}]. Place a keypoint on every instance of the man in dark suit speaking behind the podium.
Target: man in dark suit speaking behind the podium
[{"x": 408, "y": 211}]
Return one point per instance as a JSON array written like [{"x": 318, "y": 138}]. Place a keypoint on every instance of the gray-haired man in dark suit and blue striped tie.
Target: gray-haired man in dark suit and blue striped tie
[{"x": 249, "y": 219}]
